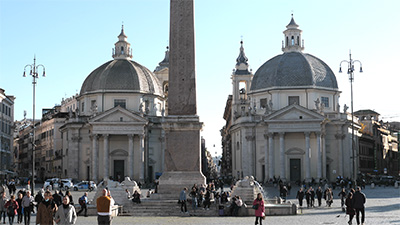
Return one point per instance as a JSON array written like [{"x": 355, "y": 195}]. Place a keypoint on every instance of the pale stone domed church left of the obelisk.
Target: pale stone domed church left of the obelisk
[{"x": 116, "y": 131}]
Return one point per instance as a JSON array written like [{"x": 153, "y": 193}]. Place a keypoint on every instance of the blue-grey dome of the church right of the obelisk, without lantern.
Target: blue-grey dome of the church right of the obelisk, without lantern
[{"x": 294, "y": 70}]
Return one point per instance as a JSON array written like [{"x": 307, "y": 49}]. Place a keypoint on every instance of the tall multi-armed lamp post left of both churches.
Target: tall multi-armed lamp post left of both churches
[{"x": 34, "y": 73}]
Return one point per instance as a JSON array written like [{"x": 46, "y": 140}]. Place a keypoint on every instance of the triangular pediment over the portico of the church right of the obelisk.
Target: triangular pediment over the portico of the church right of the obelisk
[{"x": 294, "y": 112}]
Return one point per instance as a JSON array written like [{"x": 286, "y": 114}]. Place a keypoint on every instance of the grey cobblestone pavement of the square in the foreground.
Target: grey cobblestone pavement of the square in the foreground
[{"x": 382, "y": 207}]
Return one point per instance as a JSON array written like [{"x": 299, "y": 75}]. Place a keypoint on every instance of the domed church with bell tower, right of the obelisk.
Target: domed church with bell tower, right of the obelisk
[{"x": 285, "y": 121}]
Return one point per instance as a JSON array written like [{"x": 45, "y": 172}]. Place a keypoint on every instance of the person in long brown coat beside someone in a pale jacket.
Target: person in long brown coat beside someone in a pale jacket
[{"x": 46, "y": 210}]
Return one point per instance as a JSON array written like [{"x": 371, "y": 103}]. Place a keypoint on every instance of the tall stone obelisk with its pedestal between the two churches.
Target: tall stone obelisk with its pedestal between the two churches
[{"x": 182, "y": 166}]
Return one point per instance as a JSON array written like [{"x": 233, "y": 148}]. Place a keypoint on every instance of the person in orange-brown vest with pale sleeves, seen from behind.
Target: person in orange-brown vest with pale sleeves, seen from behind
[{"x": 104, "y": 206}]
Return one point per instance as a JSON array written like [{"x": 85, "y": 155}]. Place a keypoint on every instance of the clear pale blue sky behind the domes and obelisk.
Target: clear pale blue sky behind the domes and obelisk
[{"x": 72, "y": 38}]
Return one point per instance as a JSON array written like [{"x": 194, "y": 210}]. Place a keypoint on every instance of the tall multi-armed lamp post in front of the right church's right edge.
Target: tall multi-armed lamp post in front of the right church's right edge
[{"x": 350, "y": 72}]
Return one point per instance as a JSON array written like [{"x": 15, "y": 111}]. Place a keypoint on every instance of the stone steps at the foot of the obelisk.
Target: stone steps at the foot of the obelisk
[{"x": 165, "y": 208}]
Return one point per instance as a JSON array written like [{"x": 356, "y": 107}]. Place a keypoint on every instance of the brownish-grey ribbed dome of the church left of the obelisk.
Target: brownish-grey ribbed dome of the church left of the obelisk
[{"x": 121, "y": 75}]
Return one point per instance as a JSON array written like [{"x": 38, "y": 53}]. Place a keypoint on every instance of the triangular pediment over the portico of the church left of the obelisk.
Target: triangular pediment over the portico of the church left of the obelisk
[{"x": 118, "y": 114}]
